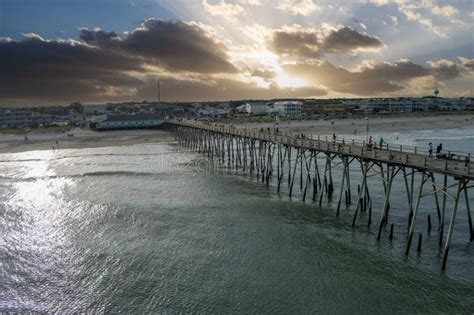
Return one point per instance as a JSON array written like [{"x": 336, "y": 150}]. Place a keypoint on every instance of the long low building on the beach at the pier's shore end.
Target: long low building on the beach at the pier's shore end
[{"x": 139, "y": 121}]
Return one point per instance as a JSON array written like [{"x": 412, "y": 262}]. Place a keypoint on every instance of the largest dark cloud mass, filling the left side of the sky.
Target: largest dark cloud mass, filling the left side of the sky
[{"x": 100, "y": 68}]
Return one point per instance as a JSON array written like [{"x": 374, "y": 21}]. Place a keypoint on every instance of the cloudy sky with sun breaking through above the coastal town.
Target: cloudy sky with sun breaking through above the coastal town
[{"x": 59, "y": 51}]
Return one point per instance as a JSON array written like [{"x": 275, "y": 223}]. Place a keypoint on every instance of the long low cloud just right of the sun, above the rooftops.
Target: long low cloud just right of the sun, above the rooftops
[{"x": 368, "y": 80}]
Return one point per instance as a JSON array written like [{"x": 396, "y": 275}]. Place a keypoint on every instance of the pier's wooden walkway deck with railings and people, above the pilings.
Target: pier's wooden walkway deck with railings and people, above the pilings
[{"x": 451, "y": 162}]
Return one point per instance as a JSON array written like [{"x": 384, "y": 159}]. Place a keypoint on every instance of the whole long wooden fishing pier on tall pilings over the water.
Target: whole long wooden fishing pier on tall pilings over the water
[{"x": 285, "y": 158}]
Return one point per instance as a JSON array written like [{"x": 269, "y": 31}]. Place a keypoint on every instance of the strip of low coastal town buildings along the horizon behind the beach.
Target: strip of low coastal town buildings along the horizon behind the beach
[{"x": 147, "y": 114}]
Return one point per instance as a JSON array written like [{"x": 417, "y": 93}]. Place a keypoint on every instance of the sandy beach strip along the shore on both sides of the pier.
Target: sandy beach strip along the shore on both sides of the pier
[{"x": 84, "y": 138}]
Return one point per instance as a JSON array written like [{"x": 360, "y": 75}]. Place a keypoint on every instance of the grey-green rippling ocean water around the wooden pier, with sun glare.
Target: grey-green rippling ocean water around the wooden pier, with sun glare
[{"x": 154, "y": 228}]
